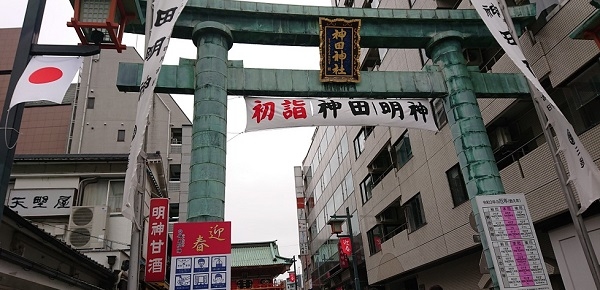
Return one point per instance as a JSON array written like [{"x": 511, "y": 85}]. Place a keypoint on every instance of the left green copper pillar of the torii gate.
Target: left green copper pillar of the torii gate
[{"x": 206, "y": 200}]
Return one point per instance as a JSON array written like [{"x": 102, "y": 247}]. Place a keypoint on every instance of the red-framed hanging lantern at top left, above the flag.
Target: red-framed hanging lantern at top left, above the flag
[{"x": 101, "y": 22}]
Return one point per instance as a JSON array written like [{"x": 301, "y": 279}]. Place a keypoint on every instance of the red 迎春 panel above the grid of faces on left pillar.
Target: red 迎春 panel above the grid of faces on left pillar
[{"x": 201, "y": 238}]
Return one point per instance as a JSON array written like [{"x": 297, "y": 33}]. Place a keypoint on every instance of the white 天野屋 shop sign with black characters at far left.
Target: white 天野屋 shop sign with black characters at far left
[{"x": 41, "y": 202}]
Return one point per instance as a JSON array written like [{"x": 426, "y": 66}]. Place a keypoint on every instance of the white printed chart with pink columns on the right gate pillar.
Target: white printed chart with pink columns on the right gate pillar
[{"x": 511, "y": 238}]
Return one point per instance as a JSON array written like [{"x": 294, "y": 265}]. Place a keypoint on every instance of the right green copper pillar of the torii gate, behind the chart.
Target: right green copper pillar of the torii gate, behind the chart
[{"x": 471, "y": 142}]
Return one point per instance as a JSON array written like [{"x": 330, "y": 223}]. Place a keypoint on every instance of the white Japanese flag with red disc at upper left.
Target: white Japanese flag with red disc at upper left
[{"x": 46, "y": 78}]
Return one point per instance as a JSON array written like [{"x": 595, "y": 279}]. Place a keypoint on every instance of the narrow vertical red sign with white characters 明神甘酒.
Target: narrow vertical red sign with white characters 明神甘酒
[{"x": 156, "y": 249}]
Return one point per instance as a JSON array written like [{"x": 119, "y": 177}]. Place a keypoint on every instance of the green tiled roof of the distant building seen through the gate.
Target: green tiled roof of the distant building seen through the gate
[{"x": 257, "y": 254}]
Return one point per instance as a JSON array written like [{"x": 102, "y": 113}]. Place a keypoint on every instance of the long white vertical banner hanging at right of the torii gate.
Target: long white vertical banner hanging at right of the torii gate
[{"x": 583, "y": 173}]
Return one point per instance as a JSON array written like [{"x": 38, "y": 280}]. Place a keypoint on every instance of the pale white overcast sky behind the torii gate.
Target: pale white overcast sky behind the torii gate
[{"x": 260, "y": 194}]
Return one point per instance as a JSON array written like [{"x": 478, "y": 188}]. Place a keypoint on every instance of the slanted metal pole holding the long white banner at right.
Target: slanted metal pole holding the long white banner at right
[{"x": 578, "y": 223}]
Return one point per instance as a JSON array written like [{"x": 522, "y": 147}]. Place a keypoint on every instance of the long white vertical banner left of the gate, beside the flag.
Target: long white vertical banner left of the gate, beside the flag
[{"x": 165, "y": 14}]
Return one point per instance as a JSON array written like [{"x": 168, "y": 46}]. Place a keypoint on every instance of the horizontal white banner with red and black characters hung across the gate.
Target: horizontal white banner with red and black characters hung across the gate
[{"x": 271, "y": 113}]
